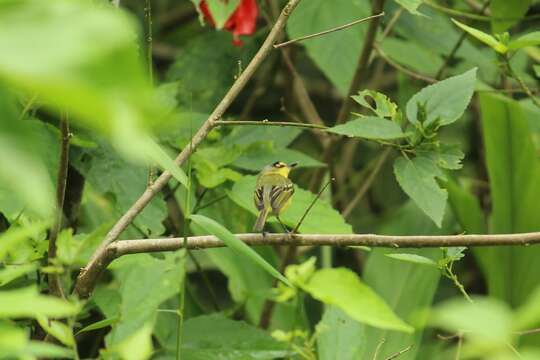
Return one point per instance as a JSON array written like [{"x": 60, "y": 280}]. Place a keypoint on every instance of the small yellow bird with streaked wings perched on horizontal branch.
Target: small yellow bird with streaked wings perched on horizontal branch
[{"x": 273, "y": 192}]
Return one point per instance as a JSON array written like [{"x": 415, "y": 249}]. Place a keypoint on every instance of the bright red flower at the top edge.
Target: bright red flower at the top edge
[{"x": 241, "y": 22}]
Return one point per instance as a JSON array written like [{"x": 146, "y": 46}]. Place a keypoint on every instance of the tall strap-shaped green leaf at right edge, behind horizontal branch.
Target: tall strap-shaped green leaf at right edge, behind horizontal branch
[{"x": 514, "y": 175}]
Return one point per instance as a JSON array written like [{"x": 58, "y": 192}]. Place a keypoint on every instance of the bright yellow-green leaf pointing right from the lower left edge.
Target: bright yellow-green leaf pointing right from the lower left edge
[{"x": 27, "y": 302}]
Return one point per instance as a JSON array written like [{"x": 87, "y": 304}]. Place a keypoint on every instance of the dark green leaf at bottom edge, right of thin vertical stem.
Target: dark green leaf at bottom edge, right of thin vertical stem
[{"x": 215, "y": 336}]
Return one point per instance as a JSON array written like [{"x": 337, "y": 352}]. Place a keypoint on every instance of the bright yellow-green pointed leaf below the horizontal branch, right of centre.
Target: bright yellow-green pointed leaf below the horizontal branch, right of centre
[{"x": 343, "y": 288}]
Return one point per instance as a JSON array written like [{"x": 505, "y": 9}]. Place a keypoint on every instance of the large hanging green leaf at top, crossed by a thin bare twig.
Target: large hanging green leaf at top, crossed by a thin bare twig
[{"x": 316, "y": 15}]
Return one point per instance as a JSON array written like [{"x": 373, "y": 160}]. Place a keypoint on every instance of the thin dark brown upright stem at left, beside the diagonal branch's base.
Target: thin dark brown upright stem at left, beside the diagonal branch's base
[{"x": 55, "y": 287}]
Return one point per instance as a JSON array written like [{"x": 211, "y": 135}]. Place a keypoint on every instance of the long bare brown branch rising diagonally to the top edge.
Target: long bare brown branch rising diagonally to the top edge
[{"x": 89, "y": 275}]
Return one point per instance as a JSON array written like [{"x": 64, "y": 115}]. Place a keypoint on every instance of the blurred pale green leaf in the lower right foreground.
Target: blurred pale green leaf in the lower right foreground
[{"x": 485, "y": 319}]
